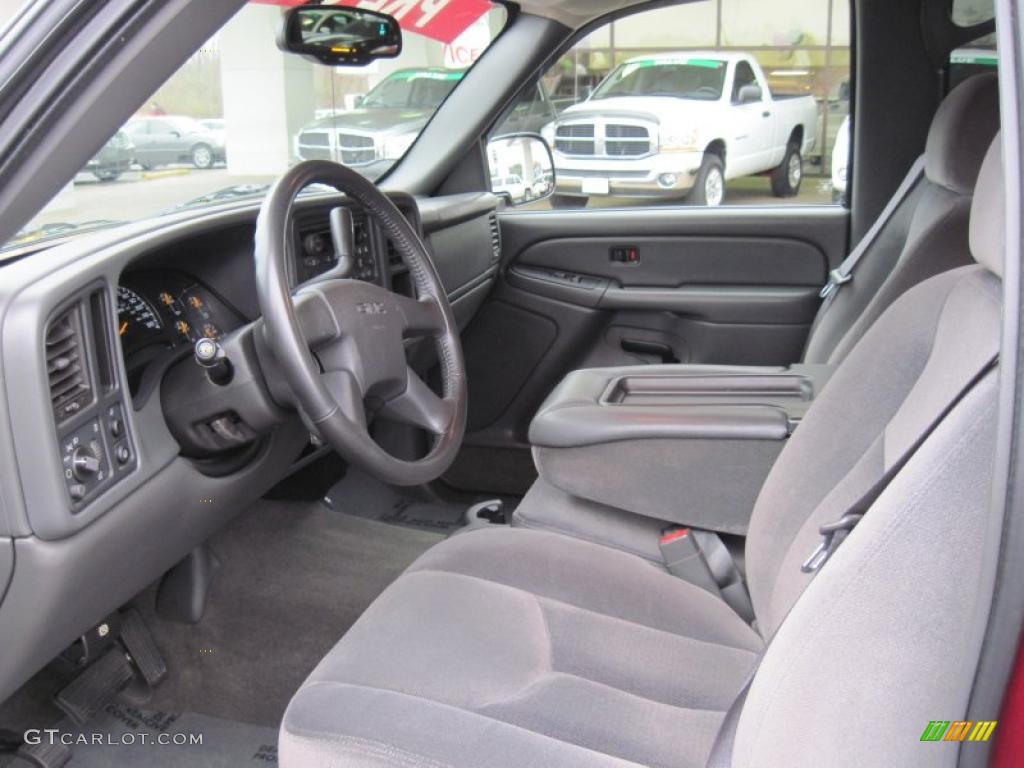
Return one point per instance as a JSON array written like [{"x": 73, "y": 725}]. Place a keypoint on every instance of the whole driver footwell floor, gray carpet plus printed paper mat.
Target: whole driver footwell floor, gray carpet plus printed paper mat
[{"x": 292, "y": 578}]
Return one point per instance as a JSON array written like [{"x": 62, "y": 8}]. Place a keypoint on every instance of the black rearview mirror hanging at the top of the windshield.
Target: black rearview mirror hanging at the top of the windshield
[{"x": 339, "y": 36}]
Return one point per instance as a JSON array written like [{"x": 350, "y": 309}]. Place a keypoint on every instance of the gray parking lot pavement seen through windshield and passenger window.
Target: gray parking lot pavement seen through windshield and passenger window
[{"x": 139, "y": 195}]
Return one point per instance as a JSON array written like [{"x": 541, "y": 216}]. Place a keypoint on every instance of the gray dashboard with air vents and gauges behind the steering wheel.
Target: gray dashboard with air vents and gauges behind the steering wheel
[{"x": 101, "y": 497}]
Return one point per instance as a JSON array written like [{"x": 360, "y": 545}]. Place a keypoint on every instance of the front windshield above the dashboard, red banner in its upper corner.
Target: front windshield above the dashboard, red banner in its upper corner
[{"x": 239, "y": 113}]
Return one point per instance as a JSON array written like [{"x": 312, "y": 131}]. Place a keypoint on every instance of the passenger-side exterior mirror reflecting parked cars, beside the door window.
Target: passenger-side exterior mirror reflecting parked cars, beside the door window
[{"x": 522, "y": 167}]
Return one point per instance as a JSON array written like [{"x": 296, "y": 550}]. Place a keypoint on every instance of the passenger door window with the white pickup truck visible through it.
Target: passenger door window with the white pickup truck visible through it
[{"x": 704, "y": 104}]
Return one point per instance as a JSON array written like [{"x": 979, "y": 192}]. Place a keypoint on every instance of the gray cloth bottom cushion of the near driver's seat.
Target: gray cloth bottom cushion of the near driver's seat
[{"x": 526, "y": 642}]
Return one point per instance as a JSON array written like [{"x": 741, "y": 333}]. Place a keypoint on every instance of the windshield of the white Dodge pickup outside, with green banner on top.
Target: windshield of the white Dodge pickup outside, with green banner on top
[{"x": 701, "y": 79}]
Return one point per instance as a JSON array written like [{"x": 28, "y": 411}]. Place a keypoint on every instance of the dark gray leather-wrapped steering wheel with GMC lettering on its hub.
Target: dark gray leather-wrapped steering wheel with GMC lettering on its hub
[{"x": 342, "y": 344}]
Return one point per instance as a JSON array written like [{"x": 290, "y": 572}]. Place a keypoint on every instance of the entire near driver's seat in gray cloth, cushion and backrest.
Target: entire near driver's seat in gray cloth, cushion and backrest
[{"x": 516, "y": 648}]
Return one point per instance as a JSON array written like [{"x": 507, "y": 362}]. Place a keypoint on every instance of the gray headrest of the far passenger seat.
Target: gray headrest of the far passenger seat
[{"x": 961, "y": 133}]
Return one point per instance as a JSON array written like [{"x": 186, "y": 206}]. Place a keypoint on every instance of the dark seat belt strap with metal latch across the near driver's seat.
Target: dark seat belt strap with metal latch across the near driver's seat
[{"x": 721, "y": 751}]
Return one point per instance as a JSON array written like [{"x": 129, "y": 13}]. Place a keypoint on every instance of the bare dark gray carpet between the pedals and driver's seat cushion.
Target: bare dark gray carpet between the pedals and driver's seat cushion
[{"x": 293, "y": 578}]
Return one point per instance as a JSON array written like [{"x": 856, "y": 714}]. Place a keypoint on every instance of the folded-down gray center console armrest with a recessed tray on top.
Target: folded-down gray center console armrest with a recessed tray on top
[{"x": 688, "y": 444}]
